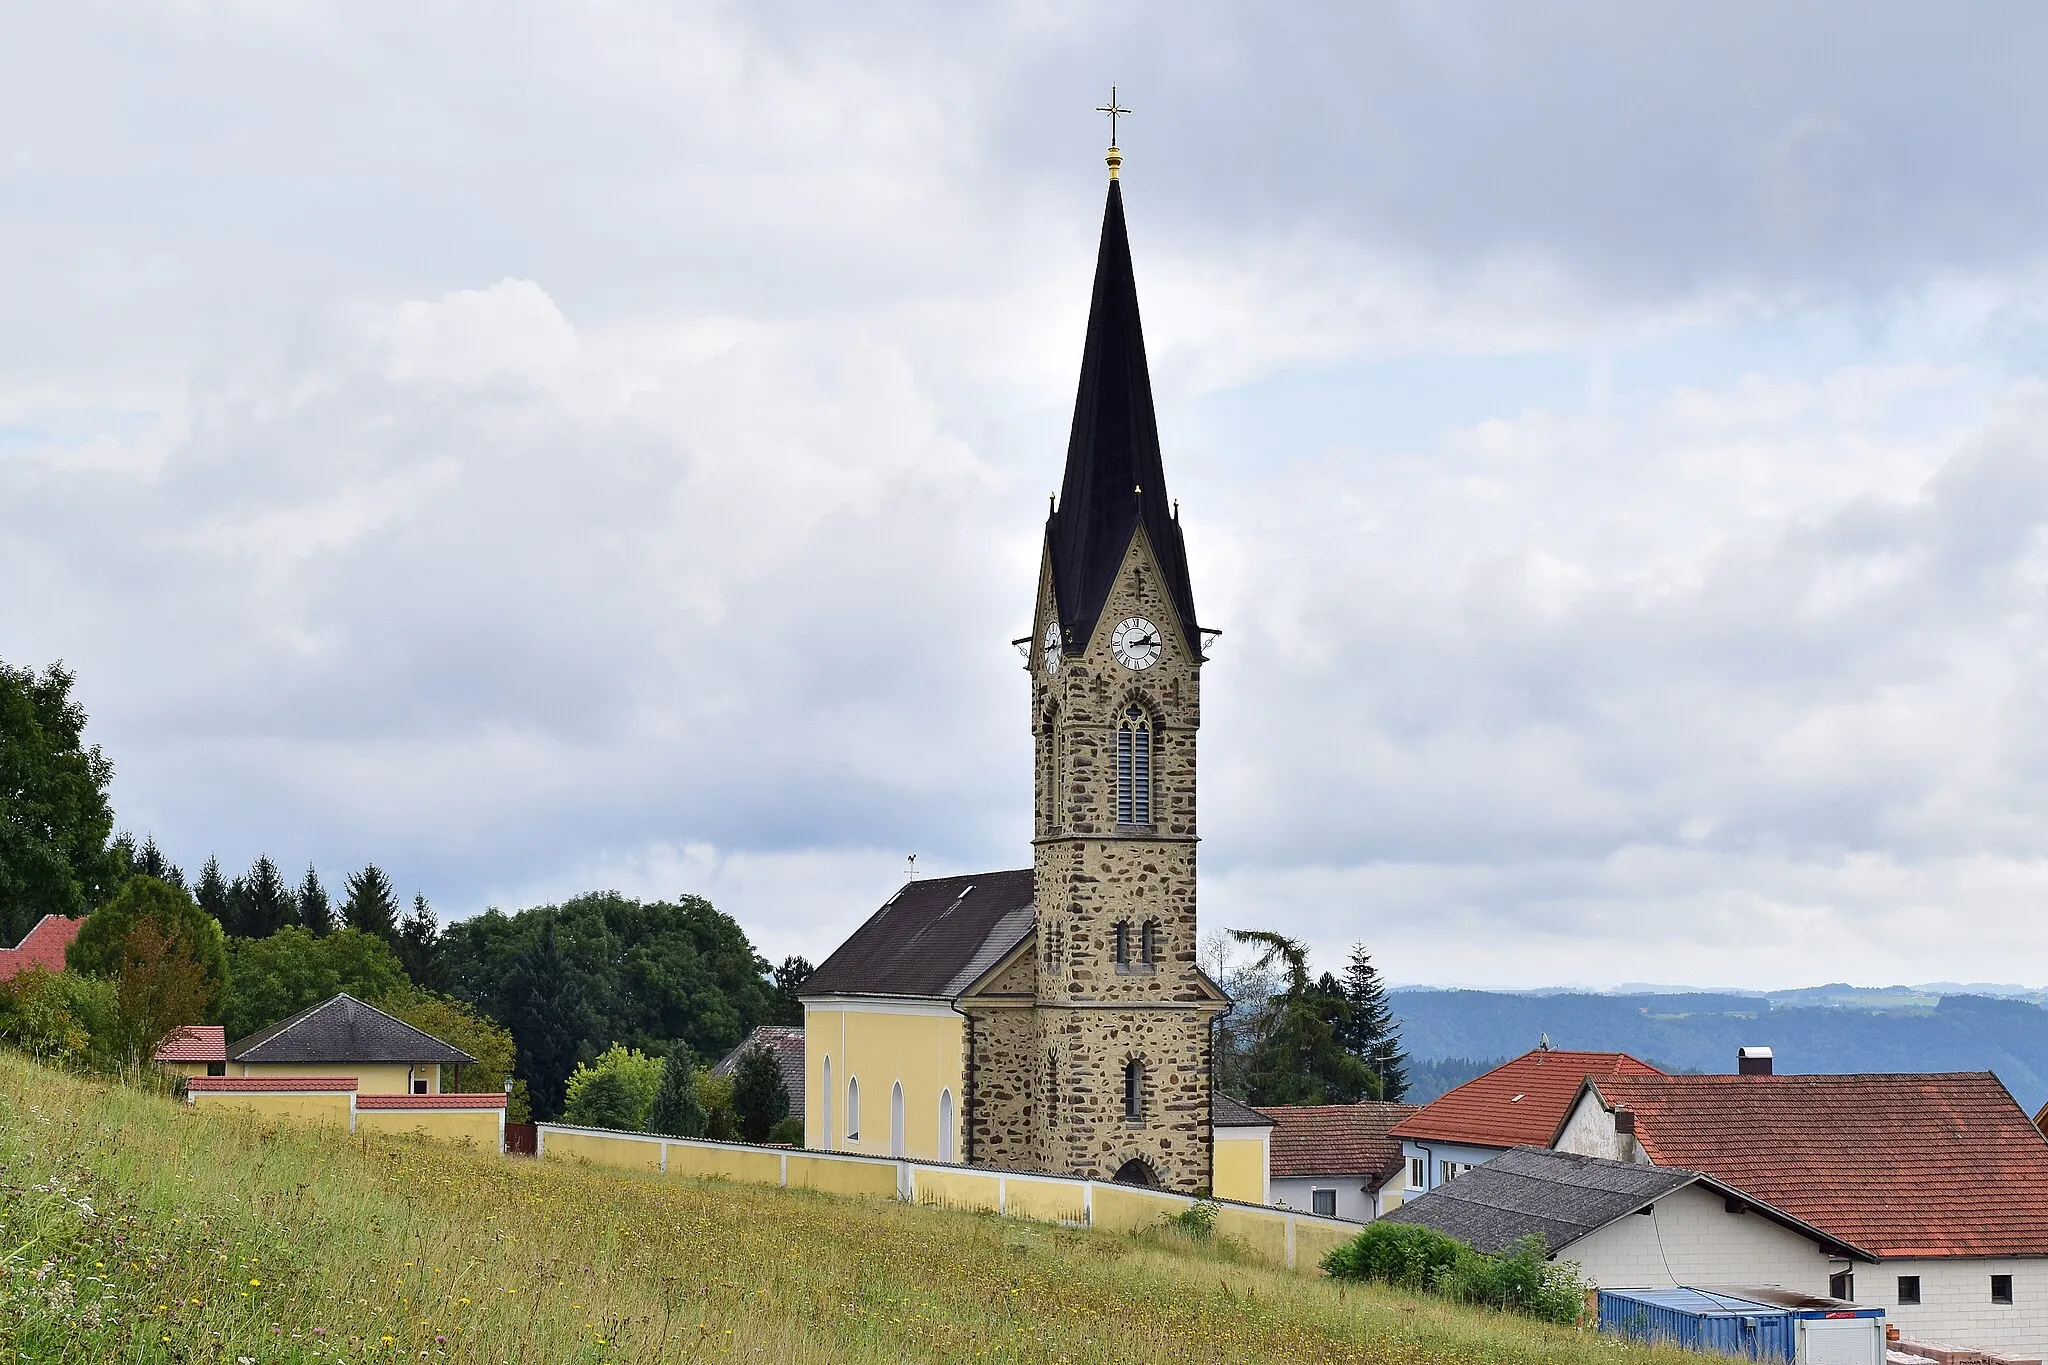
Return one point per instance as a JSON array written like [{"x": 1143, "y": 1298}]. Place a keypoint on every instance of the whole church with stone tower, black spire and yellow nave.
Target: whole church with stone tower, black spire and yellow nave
[{"x": 1054, "y": 1018}]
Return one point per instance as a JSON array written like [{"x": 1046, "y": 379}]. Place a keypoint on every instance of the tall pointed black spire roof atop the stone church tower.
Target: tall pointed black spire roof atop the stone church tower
[{"x": 1115, "y": 478}]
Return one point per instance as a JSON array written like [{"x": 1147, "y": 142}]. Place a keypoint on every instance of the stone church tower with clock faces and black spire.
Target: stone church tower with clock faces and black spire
[{"x": 1123, "y": 1012}]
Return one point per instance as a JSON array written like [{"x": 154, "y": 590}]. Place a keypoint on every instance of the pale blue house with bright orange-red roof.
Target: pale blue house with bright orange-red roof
[{"x": 1517, "y": 1104}]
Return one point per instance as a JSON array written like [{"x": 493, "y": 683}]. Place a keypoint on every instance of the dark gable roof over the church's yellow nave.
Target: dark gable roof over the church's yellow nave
[{"x": 931, "y": 940}]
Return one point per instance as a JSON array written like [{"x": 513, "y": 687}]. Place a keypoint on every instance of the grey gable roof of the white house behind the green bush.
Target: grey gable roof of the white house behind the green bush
[{"x": 1566, "y": 1198}]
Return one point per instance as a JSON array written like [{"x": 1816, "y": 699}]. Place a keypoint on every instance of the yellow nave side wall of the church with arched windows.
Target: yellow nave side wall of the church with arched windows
[{"x": 919, "y": 1047}]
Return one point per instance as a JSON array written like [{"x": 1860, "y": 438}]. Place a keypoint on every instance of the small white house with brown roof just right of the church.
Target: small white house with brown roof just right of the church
[{"x": 1338, "y": 1161}]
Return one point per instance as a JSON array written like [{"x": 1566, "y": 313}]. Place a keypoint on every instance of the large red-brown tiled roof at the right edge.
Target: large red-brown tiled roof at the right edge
[{"x": 1916, "y": 1165}]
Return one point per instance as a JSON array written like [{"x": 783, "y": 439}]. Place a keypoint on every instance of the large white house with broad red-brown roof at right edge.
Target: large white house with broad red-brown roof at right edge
[{"x": 1940, "y": 1176}]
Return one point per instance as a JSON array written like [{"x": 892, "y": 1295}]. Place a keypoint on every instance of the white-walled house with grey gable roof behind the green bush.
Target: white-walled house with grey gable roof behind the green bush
[{"x": 1629, "y": 1225}]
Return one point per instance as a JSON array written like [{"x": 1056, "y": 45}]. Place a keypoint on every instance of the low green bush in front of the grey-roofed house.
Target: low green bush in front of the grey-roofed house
[{"x": 1523, "y": 1280}]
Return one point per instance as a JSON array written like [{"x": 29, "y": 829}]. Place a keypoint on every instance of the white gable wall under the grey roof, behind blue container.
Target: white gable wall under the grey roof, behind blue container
[{"x": 1693, "y": 1239}]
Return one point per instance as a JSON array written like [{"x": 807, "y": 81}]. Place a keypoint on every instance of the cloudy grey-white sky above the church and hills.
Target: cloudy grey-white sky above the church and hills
[{"x": 603, "y": 447}]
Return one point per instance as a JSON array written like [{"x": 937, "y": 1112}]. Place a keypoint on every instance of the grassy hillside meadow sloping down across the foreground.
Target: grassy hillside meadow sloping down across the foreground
[{"x": 140, "y": 1231}]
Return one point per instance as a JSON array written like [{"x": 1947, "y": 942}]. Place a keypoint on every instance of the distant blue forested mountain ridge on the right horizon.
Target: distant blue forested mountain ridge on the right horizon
[{"x": 1811, "y": 1030}]
